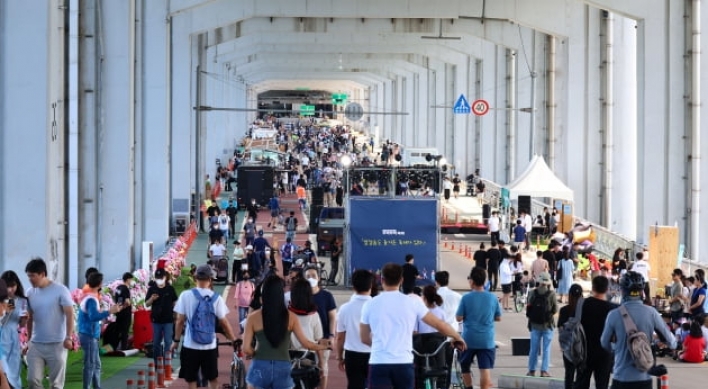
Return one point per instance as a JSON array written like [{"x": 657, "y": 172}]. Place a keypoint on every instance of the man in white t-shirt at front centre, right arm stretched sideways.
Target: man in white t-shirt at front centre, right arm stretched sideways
[{"x": 387, "y": 324}]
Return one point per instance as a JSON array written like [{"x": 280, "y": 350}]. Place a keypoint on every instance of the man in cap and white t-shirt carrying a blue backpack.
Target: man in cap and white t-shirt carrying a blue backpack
[{"x": 195, "y": 357}]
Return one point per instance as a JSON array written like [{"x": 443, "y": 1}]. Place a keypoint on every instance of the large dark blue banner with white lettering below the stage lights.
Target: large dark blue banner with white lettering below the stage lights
[{"x": 385, "y": 230}]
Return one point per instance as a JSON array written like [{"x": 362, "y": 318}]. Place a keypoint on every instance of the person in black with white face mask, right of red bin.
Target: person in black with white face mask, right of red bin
[{"x": 161, "y": 299}]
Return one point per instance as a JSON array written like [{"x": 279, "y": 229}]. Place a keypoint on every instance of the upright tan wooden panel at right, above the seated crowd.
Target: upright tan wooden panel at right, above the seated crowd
[{"x": 663, "y": 254}]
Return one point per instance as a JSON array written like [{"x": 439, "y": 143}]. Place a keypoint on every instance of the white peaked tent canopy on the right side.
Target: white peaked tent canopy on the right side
[{"x": 539, "y": 181}]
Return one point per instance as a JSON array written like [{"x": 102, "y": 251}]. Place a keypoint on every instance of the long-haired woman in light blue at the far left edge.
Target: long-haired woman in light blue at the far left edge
[{"x": 12, "y": 320}]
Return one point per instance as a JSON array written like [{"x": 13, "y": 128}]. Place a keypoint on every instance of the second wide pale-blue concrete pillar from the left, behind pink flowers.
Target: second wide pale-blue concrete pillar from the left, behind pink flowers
[{"x": 116, "y": 139}]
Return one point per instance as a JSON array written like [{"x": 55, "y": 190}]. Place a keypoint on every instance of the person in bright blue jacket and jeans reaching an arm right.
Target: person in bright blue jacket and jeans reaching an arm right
[{"x": 90, "y": 316}]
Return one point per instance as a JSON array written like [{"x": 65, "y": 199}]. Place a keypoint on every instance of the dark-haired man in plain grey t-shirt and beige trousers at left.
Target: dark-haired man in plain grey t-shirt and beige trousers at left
[{"x": 49, "y": 326}]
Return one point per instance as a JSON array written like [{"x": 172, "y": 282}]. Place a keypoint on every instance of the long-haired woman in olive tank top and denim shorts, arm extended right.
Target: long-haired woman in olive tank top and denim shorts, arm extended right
[{"x": 271, "y": 326}]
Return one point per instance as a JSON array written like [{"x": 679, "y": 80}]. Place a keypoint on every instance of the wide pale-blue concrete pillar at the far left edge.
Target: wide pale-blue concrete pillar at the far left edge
[{"x": 33, "y": 135}]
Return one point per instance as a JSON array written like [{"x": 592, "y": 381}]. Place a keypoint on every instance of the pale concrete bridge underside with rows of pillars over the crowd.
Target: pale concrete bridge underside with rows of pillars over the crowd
[{"x": 101, "y": 144}]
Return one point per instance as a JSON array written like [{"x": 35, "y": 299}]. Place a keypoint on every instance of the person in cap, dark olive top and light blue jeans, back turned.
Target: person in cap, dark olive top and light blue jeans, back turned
[{"x": 542, "y": 332}]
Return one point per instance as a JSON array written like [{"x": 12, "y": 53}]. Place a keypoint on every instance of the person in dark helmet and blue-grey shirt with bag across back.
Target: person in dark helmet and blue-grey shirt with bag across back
[{"x": 614, "y": 335}]
